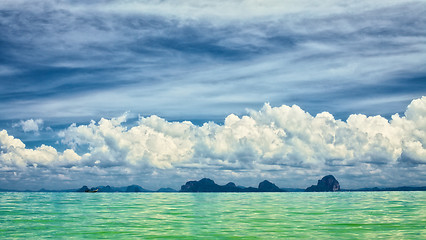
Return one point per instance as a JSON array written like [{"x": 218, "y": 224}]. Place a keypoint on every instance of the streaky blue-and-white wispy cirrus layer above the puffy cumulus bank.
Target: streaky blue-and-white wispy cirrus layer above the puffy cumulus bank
[{"x": 226, "y": 55}]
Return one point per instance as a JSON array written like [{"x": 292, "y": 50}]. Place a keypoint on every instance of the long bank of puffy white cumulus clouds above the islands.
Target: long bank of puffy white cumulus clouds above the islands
[{"x": 282, "y": 143}]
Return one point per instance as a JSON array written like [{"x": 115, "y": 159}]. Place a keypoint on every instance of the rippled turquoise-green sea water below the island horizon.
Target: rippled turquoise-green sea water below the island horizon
[{"x": 343, "y": 215}]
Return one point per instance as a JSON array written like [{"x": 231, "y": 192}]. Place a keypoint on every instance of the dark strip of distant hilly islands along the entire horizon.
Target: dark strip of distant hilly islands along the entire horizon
[{"x": 327, "y": 184}]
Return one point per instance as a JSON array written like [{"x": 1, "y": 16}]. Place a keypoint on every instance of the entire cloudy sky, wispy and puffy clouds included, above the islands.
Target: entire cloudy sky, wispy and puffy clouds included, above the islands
[{"x": 157, "y": 93}]
